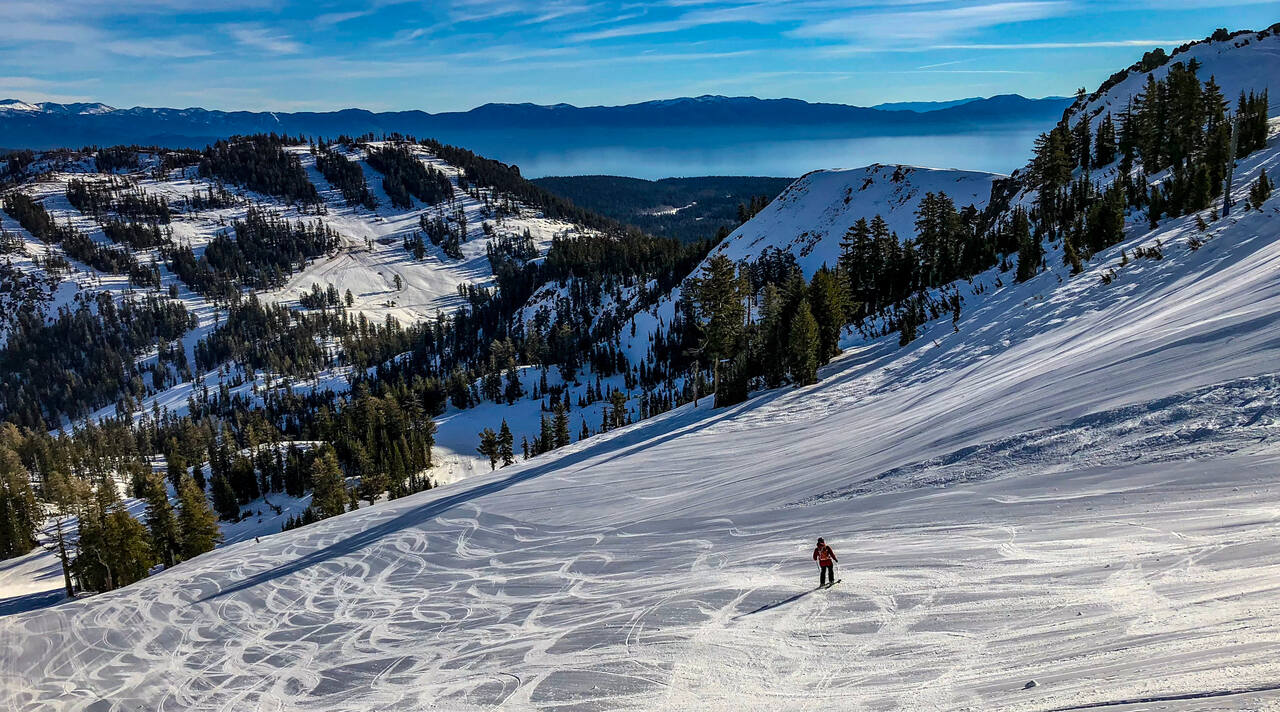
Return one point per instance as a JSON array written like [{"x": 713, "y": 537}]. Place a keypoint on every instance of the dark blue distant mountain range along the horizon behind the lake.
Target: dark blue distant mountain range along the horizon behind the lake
[{"x": 48, "y": 125}]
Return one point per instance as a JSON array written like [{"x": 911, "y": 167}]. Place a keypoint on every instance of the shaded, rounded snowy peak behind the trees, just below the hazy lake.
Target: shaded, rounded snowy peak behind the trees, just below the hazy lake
[{"x": 812, "y": 216}]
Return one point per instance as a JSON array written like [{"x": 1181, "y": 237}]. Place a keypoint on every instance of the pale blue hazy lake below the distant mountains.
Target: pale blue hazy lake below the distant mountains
[{"x": 743, "y": 152}]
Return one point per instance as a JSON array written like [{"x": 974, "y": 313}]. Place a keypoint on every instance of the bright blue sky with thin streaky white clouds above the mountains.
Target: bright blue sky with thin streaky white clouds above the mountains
[{"x": 455, "y": 54}]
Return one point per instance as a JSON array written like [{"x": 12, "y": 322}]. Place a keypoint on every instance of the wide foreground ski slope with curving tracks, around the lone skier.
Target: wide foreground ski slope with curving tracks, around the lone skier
[{"x": 1075, "y": 487}]
